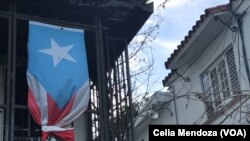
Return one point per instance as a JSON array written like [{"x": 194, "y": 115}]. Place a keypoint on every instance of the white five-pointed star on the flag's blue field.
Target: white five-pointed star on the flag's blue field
[{"x": 58, "y": 52}]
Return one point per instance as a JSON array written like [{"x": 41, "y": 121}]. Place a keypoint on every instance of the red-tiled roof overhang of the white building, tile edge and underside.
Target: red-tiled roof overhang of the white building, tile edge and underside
[{"x": 201, "y": 35}]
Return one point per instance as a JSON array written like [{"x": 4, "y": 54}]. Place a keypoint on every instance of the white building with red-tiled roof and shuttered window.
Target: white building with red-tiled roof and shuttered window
[{"x": 209, "y": 79}]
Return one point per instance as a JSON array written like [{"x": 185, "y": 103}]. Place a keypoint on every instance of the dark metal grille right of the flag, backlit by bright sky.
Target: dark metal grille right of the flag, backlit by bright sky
[{"x": 116, "y": 98}]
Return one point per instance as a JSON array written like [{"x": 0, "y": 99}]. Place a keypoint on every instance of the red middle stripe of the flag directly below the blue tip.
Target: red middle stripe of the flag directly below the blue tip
[{"x": 55, "y": 114}]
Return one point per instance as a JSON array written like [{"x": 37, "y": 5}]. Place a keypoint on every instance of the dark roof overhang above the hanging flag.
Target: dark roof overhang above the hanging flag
[{"x": 121, "y": 18}]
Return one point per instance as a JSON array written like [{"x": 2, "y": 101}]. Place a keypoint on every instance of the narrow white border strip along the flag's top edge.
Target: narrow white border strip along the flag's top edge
[{"x": 55, "y": 27}]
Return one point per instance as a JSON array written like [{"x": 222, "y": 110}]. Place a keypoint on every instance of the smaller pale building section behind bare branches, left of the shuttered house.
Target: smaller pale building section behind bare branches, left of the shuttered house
[{"x": 154, "y": 111}]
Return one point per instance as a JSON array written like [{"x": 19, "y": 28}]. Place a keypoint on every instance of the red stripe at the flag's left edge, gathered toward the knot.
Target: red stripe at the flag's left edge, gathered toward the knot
[{"x": 33, "y": 107}]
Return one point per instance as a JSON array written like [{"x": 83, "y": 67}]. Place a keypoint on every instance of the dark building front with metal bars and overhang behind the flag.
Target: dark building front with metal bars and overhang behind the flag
[{"x": 109, "y": 26}]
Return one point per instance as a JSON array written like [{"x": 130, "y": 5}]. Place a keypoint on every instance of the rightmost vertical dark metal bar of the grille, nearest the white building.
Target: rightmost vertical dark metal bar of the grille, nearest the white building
[{"x": 129, "y": 92}]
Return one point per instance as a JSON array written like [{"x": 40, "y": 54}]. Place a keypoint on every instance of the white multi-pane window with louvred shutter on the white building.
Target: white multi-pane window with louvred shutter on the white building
[{"x": 219, "y": 82}]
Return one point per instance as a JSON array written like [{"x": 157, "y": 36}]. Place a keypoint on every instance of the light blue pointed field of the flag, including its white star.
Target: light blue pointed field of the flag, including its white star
[{"x": 57, "y": 59}]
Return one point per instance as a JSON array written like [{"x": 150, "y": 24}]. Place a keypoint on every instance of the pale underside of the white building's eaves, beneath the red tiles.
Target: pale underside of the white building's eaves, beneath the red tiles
[{"x": 199, "y": 40}]
